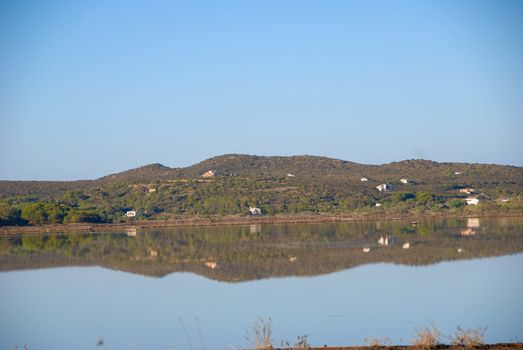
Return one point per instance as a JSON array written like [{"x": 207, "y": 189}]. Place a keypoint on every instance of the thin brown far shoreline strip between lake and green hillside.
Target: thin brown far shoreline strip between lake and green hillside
[{"x": 239, "y": 220}]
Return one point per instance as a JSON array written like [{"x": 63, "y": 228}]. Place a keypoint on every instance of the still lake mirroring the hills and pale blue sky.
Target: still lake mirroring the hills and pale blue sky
[{"x": 196, "y": 288}]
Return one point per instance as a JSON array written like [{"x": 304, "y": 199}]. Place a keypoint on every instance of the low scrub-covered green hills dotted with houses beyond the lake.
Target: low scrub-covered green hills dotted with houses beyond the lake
[{"x": 304, "y": 185}]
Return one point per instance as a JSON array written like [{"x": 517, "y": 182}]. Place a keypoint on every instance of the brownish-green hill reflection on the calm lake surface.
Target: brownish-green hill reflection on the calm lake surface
[{"x": 247, "y": 253}]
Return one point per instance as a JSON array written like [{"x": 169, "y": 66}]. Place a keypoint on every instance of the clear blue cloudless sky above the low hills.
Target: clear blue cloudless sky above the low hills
[{"x": 89, "y": 88}]
